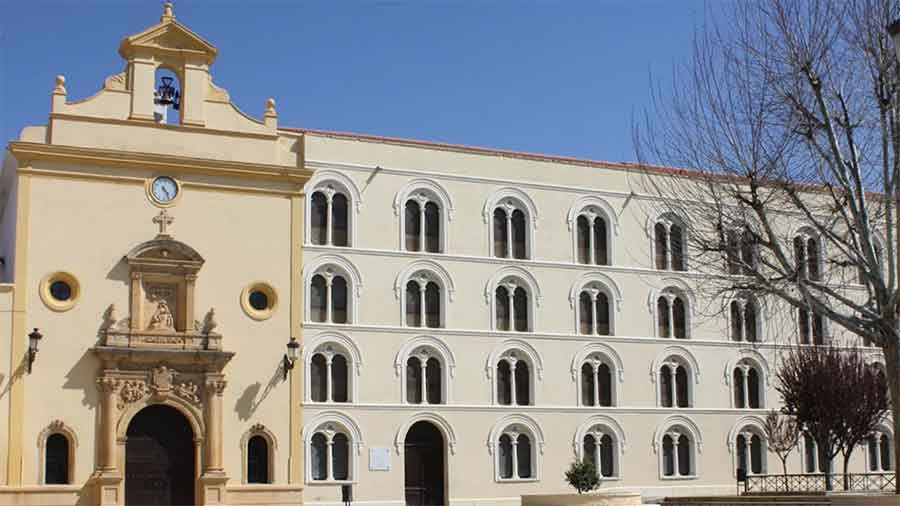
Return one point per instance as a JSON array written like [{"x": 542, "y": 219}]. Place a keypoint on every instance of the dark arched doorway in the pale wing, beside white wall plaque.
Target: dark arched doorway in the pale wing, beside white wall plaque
[{"x": 424, "y": 465}]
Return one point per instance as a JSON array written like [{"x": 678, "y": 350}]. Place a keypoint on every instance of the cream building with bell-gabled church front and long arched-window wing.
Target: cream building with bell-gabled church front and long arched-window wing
[{"x": 168, "y": 265}]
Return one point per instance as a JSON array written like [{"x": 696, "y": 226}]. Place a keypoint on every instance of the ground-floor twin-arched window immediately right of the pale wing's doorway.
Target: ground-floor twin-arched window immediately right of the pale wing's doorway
[{"x": 516, "y": 451}]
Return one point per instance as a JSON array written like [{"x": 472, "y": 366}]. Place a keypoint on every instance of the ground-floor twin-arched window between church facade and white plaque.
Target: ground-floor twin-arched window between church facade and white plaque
[{"x": 332, "y": 447}]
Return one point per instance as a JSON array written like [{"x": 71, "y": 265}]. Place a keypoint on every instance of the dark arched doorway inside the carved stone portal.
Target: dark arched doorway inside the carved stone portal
[{"x": 159, "y": 458}]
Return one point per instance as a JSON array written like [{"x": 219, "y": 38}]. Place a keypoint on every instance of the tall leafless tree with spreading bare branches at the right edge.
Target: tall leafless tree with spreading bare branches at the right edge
[{"x": 788, "y": 116}]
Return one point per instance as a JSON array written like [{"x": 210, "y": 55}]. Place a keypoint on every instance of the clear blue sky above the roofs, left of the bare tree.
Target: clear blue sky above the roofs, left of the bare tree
[{"x": 560, "y": 78}]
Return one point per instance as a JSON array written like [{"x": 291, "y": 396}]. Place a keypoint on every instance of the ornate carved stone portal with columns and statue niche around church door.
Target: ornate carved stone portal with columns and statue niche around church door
[{"x": 158, "y": 355}]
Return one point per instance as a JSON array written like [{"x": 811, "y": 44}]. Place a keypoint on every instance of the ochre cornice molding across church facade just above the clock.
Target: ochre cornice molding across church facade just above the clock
[{"x": 26, "y": 152}]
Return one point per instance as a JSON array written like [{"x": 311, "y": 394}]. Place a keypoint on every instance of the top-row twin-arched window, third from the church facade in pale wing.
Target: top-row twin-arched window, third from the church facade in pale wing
[{"x": 511, "y": 223}]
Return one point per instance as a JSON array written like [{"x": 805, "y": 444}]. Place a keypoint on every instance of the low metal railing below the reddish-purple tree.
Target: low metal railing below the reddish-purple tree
[{"x": 818, "y": 482}]
